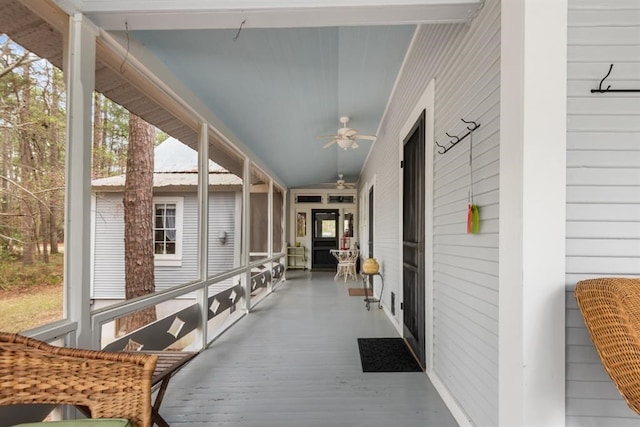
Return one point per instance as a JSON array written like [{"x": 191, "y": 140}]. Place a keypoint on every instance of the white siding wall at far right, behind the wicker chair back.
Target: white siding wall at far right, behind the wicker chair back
[{"x": 603, "y": 187}]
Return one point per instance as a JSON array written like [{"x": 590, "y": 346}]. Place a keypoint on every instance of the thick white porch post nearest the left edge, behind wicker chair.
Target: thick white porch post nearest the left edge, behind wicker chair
[{"x": 80, "y": 80}]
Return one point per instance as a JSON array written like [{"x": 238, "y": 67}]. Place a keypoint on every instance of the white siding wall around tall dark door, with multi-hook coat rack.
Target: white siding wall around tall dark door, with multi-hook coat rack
[{"x": 464, "y": 60}]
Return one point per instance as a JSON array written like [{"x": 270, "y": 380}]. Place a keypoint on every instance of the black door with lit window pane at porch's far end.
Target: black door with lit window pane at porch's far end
[{"x": 324, "y": 238}]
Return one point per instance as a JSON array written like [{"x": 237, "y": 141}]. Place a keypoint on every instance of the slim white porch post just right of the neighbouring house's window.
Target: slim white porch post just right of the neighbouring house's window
[{"x": 203, "y": 233}]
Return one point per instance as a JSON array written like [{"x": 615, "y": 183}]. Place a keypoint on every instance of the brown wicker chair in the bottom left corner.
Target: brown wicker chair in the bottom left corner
[{"x": 110, "y": 385}]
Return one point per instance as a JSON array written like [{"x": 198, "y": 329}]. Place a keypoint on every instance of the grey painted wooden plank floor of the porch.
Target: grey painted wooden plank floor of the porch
[{"x": 294, "y": 361}]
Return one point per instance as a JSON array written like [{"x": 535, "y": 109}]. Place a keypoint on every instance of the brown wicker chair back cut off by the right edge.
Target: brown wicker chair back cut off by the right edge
[{"x": 611, "y": 310}]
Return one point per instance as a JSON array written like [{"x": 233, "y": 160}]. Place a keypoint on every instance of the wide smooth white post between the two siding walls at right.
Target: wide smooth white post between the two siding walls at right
[{"x": 533, "y": 118}]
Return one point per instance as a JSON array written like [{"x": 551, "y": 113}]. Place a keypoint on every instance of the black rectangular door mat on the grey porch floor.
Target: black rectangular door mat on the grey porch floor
[{"x": 386, "y": 355}]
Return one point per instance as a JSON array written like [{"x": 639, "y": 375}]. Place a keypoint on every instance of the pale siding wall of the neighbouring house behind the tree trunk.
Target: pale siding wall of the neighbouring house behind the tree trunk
[{"x": 108, "y": 273}]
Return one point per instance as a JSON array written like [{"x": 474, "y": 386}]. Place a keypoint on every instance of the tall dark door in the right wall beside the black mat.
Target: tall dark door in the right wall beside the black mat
[{"x": 413, "y": 276}]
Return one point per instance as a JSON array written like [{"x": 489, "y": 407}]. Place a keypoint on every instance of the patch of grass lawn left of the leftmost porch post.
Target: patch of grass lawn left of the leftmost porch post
[{"x": 30, "y": 296}]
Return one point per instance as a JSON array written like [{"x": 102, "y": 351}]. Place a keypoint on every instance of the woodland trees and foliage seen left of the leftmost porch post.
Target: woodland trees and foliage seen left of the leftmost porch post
[{"x": 32, "y": 140}]
